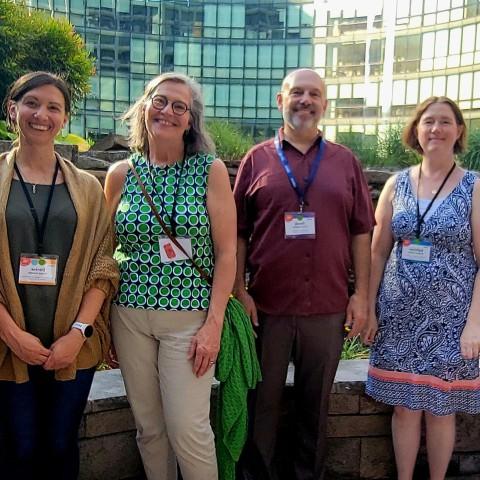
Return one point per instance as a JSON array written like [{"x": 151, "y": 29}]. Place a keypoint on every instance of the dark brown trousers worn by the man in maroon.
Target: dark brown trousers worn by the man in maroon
[{"x": 314, "y": 343}]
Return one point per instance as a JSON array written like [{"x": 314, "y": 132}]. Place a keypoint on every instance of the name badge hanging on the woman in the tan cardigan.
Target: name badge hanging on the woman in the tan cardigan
[{"x": 38, "y": 269}]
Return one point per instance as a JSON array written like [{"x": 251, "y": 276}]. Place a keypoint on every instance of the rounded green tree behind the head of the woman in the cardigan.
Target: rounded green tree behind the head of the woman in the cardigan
[{"x": 31, "y": 40}]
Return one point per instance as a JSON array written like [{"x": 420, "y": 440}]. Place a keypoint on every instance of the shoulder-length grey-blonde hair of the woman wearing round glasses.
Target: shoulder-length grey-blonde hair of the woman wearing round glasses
[{"x": 196, "y": 139}]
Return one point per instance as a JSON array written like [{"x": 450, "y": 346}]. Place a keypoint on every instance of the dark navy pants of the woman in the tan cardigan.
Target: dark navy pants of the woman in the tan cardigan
[{"x": 39, "y": 423}]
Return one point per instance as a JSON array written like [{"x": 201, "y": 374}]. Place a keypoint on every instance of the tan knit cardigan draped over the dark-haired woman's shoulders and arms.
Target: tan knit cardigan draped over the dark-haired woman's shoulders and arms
[{"x": 90, "y": 264}]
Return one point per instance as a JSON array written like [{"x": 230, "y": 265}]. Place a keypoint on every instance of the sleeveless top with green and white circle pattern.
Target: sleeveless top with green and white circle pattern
[{"x": 146, "y": 282}]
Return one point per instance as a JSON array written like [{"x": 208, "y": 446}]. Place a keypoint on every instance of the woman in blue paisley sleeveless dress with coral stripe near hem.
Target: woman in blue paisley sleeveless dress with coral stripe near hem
[{"x": 425, "y": 291}]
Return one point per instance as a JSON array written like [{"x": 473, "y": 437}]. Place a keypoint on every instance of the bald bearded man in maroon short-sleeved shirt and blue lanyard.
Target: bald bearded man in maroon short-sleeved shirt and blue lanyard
[{"x": 304, "y": 217}]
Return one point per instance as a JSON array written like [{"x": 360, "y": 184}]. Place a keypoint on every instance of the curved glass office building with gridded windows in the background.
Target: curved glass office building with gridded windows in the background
[{"x": 379, "y": 57}]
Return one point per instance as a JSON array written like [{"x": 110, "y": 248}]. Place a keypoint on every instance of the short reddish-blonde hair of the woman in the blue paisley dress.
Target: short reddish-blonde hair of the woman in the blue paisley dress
[{"x": 409, "y": 136}]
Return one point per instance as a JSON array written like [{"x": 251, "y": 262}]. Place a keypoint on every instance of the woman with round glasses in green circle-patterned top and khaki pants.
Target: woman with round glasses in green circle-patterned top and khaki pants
[{"x": 167, "y": 320}]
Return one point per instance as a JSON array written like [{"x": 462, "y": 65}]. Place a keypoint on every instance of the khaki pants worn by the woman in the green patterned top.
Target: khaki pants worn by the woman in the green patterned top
[{"x": 170, "y": 404}]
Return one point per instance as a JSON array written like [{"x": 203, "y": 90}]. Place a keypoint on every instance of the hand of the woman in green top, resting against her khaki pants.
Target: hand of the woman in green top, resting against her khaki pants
[{"x": 205, "y": 347}]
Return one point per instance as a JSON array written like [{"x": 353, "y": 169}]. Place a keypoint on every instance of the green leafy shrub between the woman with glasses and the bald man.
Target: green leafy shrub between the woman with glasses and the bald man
[{"x": 231, "y": 142}]
